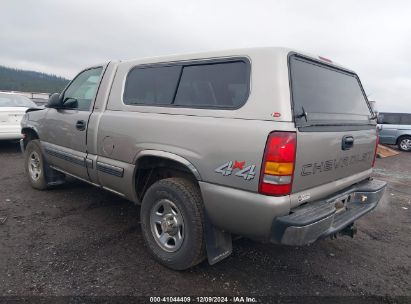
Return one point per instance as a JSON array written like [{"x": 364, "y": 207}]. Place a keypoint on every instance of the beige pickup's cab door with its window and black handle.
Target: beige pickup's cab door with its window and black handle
[{"x": 65, "y": 143}]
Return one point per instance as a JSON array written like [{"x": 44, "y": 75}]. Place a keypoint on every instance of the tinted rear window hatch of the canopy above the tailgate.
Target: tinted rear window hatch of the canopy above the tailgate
[{"x": 326, "y": 95}]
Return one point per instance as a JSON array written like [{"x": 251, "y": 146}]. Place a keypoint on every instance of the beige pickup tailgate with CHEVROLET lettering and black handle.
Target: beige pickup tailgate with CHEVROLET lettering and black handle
[{"x": 323, "y": 157}]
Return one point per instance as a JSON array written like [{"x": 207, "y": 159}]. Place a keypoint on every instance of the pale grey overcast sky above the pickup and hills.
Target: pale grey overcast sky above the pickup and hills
[{"x": 61, "y": 37}]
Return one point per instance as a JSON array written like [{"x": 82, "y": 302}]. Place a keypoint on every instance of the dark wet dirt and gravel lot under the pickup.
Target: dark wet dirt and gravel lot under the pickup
[{"x": 80, "y": 240}]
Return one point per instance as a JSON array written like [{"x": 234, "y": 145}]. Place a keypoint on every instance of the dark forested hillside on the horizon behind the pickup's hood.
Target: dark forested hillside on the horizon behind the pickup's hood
[{"x": 30, "y": 81}]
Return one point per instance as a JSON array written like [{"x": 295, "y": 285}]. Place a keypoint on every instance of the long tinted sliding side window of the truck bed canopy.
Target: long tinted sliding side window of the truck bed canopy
[{"x": 219, "y": 84}]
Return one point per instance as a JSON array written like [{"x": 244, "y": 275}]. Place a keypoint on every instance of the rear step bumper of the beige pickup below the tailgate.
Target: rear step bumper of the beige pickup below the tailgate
[{"x": 327, "y": 217}]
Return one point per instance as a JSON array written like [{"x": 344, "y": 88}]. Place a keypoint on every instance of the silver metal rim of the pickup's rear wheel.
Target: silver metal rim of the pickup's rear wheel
[{"x": 167, "y": 225}]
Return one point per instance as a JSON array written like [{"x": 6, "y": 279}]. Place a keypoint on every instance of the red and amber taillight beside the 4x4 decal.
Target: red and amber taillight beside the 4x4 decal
[{"x": 278, "y": 164}]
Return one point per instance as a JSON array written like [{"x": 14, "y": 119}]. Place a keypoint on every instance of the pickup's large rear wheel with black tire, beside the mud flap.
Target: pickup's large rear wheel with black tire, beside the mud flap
[{"x": 172, "y": 220}]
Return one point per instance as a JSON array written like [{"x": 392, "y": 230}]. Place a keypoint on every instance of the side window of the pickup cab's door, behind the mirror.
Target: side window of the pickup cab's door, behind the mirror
[{"x": 82, "y": 90}]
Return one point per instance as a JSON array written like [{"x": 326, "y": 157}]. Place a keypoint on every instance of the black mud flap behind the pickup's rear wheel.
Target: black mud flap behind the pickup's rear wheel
[{"x": 218, "y": 243}]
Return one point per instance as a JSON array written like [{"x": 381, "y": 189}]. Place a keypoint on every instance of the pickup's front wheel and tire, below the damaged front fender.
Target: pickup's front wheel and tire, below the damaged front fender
[{"x": 35, "y": 166}]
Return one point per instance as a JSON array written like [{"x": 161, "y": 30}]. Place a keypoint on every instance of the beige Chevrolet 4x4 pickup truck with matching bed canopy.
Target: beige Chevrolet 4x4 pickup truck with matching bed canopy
[{"x": 267, "y": 143}]
